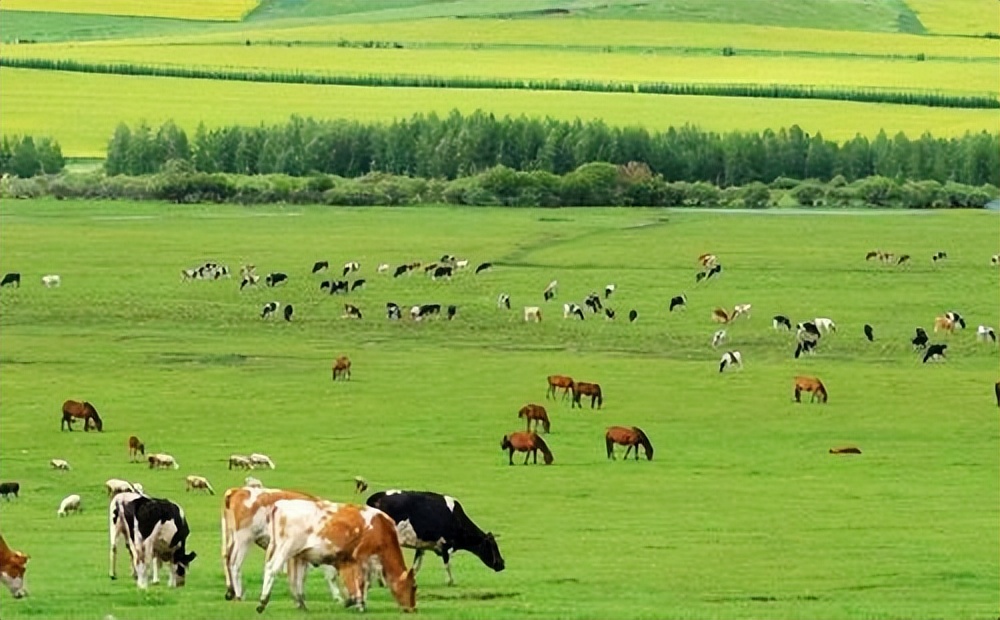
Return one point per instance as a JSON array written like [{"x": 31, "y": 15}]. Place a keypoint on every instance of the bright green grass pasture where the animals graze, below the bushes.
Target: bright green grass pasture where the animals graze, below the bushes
[{"x": 742, "y": 513}]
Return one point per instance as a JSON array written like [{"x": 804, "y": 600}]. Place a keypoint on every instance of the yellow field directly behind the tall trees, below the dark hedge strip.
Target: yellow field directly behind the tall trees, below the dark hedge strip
[{"x": 81, "y": 110}]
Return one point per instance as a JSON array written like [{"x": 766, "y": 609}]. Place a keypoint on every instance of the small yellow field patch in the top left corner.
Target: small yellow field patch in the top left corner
[{"x": 202, "y": 10}]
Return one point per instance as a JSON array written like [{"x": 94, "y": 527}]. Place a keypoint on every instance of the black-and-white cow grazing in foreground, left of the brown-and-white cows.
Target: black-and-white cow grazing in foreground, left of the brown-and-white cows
[{"x": 155, "y": 531}]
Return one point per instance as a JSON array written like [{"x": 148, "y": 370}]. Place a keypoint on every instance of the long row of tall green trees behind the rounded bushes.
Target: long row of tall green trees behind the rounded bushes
[{"x": 456, "y": 145}]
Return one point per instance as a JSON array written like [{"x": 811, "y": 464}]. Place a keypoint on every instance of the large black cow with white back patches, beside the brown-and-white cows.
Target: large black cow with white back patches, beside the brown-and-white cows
[{"x": 431, "y": 521}]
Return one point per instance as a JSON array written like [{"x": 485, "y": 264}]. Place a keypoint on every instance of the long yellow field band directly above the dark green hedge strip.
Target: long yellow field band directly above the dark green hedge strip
[{"x": 948, "y": 76}]
